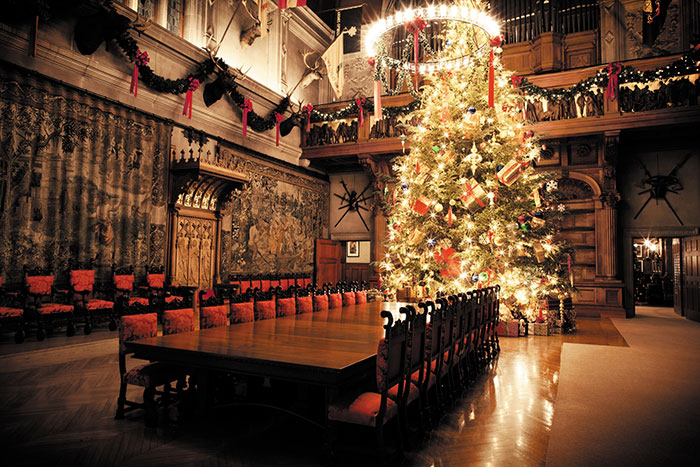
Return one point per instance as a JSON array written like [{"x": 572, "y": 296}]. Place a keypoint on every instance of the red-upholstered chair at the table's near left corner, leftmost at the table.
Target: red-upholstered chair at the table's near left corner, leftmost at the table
[{"x": 150, "y": 376}]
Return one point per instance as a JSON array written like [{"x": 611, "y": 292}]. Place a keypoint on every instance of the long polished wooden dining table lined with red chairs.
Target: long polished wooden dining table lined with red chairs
[{"x": 328, "y": 349}]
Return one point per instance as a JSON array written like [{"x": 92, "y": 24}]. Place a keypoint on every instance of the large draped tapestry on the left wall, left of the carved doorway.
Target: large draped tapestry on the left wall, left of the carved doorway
[{"x": 81, "y": 180}]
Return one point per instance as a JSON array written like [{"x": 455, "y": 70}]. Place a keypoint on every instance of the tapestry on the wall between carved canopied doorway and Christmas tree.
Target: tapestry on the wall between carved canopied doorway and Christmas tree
[{"x": 275, "y": 220}]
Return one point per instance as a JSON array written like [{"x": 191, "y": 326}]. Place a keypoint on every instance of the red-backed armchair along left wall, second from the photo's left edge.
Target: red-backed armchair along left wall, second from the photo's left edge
[{"x": 45, "y": 302}]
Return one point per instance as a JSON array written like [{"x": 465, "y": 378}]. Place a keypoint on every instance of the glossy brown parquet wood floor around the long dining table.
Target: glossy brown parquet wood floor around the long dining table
[{"x": 57, "y": 408}]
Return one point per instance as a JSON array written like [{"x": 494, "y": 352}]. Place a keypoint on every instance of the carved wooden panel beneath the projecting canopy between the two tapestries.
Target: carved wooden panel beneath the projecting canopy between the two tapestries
[{"x": 195, "y": 251}]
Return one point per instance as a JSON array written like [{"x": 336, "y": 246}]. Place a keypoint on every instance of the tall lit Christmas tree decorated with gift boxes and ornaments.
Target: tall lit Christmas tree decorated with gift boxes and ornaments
[{"x": 468, "y": 208}]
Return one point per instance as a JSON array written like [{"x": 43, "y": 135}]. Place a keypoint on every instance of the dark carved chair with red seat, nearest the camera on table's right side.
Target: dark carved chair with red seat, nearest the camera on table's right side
[{"x": 376, "y": 409}]
